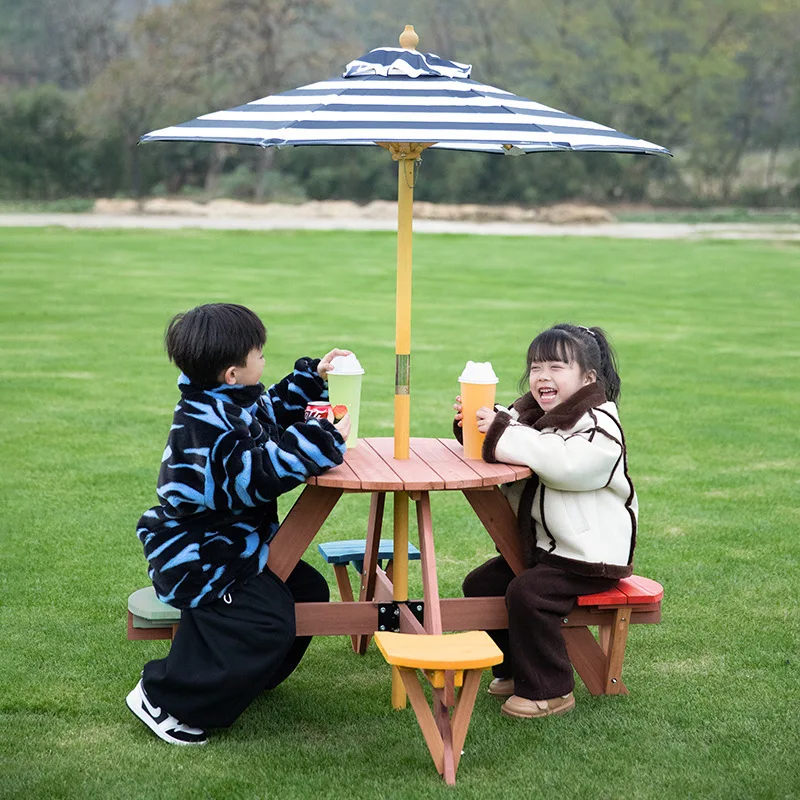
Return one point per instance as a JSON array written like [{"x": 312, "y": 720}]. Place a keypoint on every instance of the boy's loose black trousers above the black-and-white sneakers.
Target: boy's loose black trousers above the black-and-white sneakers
[{"x": 226, "y": 653}]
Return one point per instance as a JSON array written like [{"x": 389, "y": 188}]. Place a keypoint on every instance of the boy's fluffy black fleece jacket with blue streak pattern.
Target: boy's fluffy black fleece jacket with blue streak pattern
[{"x": 231, "y": 452}]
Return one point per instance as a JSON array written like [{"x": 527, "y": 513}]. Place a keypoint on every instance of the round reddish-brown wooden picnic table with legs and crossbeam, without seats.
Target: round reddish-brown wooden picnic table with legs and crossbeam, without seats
[{"x": 434, "y": 465}]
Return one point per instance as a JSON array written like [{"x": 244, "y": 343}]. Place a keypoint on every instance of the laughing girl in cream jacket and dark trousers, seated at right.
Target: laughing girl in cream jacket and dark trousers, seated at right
[{"x": 577, "y": 514}]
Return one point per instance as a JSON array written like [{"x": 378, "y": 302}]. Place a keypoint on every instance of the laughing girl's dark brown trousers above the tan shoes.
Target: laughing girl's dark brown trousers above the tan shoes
[{"x": 534, "y": 650}]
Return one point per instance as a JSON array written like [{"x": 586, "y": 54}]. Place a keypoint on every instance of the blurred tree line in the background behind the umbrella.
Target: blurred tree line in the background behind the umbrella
[{"x": 715, "y": 81}]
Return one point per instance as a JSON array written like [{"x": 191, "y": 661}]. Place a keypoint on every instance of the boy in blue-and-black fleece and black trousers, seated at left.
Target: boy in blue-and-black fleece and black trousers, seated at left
[{"x": 232, "y": 450}]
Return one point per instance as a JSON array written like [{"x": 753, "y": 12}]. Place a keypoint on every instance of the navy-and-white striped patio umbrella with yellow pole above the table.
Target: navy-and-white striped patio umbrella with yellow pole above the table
[{"x": 405, "y": 101}]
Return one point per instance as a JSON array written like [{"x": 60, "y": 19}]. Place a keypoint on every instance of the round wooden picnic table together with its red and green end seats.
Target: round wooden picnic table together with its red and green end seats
[{"x": 434, "y": 465}]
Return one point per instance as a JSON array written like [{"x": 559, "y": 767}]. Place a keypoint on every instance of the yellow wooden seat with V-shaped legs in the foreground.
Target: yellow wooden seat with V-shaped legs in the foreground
[{"x": 447, "y": 661}]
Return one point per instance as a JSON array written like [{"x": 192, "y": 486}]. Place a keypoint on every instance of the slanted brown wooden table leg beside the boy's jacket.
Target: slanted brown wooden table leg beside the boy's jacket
[{"x": 299, "y": 528}]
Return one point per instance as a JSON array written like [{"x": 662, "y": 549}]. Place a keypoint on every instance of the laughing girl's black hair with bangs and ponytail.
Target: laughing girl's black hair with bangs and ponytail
[{"x": 588, "y": 347}]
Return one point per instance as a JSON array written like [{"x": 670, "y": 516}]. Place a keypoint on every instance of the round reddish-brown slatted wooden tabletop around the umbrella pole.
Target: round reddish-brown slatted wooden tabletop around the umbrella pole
[{"x": 433, "y": 465}]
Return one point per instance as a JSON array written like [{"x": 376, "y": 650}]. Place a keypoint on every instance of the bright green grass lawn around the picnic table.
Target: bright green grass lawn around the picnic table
[{"x": 708, "y": 337}]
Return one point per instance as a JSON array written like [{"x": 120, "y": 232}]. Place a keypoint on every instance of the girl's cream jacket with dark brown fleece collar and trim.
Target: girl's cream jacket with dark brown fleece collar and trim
[{"x": 579, "y": 510}]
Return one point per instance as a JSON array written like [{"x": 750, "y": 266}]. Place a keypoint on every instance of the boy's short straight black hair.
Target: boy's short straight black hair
[{"x": 206, "y": 340}]
